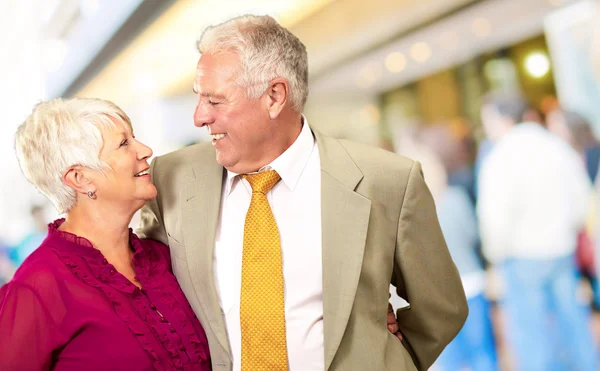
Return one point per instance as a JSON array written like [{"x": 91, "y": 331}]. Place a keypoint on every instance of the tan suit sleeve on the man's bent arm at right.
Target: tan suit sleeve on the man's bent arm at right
[{"x": 426, "y": 277}]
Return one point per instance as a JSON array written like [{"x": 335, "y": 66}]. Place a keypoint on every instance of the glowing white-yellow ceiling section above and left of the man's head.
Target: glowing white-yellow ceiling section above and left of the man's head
[{"x": 161, "y": 61}]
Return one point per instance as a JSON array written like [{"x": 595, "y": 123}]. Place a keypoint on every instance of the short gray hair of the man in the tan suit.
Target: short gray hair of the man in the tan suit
[{"x": 266, "y": 51}]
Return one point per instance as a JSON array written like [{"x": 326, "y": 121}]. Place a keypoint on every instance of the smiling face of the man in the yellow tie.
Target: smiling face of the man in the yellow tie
[{"x": 239, "y": 126}]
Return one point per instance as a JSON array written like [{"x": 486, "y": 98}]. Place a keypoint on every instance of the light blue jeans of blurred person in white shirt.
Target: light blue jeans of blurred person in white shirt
[{"x": 547, "y": 327}]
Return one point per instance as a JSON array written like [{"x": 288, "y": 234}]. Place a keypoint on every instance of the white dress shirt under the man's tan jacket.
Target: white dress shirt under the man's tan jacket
[{"x": 296, "y": 205}]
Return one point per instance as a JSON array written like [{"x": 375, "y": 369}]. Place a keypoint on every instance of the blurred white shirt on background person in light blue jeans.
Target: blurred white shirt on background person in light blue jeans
[{"x": 533, "y": 196}]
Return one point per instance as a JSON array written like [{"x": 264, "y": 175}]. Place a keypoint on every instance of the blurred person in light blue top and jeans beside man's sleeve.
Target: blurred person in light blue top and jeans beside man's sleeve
[{"x": 474, "y": 347}]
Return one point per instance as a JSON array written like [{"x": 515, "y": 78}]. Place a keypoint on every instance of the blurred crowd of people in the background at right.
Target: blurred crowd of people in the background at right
[{"x": 519, "y": 216}]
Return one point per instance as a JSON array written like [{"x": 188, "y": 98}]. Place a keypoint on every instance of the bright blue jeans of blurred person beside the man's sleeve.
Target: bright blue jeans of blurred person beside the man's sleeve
[{"x": 474, "y": 347}]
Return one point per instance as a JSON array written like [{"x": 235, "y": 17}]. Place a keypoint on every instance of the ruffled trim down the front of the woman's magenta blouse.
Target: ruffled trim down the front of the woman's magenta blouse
[{"x": 154, "y": 274}]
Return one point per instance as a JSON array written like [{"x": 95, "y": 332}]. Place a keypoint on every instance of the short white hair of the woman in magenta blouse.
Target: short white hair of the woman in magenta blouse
[{"x": 59, "y": 134}]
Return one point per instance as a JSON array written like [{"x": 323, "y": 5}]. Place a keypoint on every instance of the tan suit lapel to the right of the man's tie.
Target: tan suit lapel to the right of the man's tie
[{"x": 345, "y": 220}]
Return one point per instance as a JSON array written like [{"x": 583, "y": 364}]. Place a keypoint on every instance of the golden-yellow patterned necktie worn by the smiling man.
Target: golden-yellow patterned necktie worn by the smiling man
[{"x": 262, "y": 310}]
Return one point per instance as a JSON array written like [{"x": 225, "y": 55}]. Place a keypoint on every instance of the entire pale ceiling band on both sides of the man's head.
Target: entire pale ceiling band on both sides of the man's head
[{"x": 353, "y": 48}]
